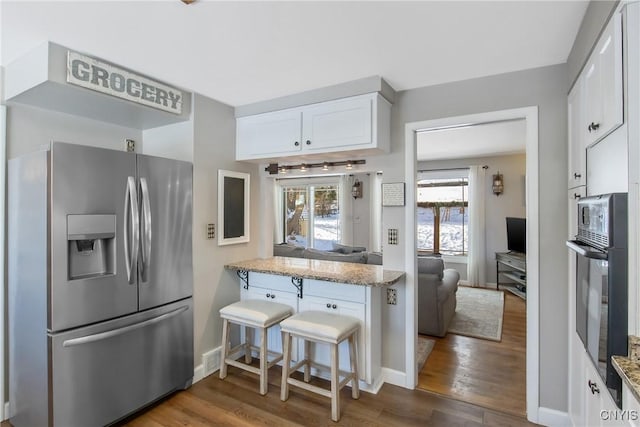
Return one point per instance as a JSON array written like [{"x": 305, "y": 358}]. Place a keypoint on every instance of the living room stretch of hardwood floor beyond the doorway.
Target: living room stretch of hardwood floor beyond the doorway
[{"x": 486, "y": 373}]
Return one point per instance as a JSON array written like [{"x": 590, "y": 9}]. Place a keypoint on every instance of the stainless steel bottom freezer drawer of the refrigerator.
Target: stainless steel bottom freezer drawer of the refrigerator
[{"x": 103, "y": 372}]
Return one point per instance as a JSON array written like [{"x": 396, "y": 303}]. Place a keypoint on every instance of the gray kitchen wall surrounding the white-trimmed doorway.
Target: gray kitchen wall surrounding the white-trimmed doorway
[{"x": 543, "y": 87}]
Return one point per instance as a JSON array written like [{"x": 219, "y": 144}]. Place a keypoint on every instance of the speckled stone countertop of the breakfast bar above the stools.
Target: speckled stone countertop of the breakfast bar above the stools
[{"x": 330, "y": 271}]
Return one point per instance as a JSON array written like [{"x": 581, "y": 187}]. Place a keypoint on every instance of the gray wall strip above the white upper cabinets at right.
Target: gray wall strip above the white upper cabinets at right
[{"x": 595, "y": 17}]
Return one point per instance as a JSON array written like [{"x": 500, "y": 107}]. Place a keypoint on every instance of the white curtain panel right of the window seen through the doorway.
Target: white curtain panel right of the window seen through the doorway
[{"x": 476, "y": 260}]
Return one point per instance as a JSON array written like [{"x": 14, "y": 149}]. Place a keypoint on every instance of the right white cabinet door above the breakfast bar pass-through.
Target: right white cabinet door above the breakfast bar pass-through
[{"x": 335, "y": 125}]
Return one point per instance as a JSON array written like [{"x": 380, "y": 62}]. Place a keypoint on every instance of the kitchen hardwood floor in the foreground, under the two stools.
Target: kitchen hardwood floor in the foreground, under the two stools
[{"x": 236, "y": 402}]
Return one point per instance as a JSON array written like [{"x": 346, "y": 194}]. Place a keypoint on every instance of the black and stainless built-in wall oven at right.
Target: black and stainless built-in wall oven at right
[{"x": 601, "y": 282}]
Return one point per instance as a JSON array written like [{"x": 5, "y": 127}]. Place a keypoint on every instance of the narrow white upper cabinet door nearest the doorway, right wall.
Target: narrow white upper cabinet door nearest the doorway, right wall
[{"x": 577, "y": 147}]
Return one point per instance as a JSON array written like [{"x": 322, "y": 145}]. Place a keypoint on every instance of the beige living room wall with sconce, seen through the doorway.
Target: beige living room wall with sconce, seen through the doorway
[{"x": 509, "y": 203}]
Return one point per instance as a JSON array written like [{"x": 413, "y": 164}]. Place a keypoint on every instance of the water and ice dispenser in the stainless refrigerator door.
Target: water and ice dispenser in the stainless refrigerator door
[{"x": 91, "y": 245}]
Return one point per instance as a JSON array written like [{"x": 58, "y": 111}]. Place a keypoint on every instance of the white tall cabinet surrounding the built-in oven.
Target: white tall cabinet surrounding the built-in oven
[{"x": 595, "y": 110}]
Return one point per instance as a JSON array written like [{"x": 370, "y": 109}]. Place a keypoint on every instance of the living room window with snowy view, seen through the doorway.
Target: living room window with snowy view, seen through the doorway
[{"x": 443, "y": 215}]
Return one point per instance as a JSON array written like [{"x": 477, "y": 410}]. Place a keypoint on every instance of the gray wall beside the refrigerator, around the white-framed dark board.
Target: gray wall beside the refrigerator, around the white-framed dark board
[{"x": 215, "y": 287}]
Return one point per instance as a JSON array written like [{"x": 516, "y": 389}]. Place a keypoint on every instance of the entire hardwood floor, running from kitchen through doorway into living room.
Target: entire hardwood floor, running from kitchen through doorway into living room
[{"x": 488, "y": 373}]
